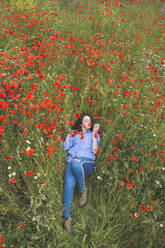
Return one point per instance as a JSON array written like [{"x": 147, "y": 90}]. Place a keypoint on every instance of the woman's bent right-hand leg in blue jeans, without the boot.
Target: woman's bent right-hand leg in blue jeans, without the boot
[{"x": 81, "y": 168}]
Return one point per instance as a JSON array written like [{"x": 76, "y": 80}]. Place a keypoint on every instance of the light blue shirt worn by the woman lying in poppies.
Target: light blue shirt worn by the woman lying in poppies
[{"x": 78, "y": 148}]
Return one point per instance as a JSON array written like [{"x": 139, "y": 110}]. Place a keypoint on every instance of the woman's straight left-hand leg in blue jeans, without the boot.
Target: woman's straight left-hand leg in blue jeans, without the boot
[{"x": 69, "y": 184}]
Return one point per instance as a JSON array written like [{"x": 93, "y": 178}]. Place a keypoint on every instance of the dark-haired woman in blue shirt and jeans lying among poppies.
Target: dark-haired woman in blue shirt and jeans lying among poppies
[{"x": 83, "y": 146}]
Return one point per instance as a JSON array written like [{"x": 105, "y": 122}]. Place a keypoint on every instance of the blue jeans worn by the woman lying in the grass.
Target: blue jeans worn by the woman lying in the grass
[{"x": 76, "y": 170}]
